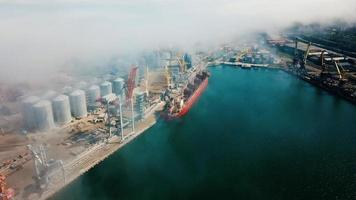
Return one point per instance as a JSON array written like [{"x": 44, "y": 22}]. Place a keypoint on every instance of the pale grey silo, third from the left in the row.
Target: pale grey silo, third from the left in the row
[{"x": 61, "y": 109}]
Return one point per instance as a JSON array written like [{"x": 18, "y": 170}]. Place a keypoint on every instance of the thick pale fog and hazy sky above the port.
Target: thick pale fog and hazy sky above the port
[{"x": 37, "y": 36}]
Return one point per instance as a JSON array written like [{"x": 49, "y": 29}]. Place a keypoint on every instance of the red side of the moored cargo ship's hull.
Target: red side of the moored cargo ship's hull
[{"x": 195, "y": 96}]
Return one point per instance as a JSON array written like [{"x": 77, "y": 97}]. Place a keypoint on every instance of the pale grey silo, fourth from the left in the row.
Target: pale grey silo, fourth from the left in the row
[{"x": 78, "y": 103}]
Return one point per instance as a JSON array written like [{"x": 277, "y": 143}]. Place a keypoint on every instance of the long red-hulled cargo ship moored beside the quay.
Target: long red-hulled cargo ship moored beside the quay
[{"x": 182, "y": 101}]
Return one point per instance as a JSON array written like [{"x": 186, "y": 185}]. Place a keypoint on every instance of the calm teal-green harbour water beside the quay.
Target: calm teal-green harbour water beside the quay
[{"x": 252, "y": 135}]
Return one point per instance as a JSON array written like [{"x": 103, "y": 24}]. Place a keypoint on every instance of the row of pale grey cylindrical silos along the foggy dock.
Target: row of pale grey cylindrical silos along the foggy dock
[{"x": 53, "y": 108}]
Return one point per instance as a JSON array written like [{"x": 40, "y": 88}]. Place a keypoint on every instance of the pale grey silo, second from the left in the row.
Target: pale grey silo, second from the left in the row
[{"x": 43, "y": 115}]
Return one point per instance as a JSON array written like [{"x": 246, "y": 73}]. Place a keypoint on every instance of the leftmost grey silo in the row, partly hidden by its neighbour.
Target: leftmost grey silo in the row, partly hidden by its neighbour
[{"x": 28, "y": 112}]
